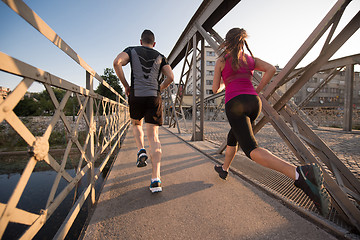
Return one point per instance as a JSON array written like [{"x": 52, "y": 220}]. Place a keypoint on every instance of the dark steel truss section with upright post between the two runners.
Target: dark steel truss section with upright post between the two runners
[{"x": 208, "y": 14}]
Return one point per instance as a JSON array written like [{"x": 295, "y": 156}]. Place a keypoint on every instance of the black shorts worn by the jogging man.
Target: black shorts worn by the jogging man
[{"x": 149, "y": 108}]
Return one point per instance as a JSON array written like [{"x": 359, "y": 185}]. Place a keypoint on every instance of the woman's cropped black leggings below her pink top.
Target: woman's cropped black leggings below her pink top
[{"x": 241, "y": 112}]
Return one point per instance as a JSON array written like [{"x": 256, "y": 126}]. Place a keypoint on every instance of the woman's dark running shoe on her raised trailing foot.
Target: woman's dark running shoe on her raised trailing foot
[{"x": 311, "y": 181}]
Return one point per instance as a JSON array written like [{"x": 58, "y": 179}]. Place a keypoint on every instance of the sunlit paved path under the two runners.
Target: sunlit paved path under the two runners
[{"x": 195, "y": 202}]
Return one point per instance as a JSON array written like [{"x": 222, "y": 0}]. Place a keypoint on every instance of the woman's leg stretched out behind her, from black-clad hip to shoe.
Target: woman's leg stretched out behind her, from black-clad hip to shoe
[{"x": 241, "y": 113}]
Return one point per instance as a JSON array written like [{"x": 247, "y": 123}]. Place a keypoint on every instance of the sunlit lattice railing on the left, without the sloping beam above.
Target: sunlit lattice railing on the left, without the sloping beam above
[{"x": 112, "y": 129}]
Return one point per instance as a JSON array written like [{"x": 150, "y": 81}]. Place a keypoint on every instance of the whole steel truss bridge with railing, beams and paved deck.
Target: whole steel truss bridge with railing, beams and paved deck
[{"x": 107, "y": 121}]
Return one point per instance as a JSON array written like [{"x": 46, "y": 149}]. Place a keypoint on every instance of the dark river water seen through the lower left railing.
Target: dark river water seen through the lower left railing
[{"x": 35, "y": 197}]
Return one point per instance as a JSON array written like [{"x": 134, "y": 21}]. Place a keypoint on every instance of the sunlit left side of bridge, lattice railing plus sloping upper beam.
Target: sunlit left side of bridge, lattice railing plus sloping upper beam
[{"x": 106, "y": 121}]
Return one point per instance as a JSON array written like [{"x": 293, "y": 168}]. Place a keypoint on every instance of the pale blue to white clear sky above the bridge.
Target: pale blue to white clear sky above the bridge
[{"x": 99, "y": 30}]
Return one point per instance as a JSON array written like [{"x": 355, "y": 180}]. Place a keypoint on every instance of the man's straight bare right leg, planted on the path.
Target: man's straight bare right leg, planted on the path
[{"x": 152, "y": 131}]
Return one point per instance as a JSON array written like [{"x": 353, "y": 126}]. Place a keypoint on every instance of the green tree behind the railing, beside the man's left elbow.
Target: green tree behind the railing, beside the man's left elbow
[{"x": 110, "y": 77}]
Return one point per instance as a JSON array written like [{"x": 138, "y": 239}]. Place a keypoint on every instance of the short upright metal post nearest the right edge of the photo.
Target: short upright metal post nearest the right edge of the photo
[{"x": 348, "y": 103}]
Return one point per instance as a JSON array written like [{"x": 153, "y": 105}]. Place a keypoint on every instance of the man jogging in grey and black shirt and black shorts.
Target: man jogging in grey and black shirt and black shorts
[{"x": 144, "y": 98}]
